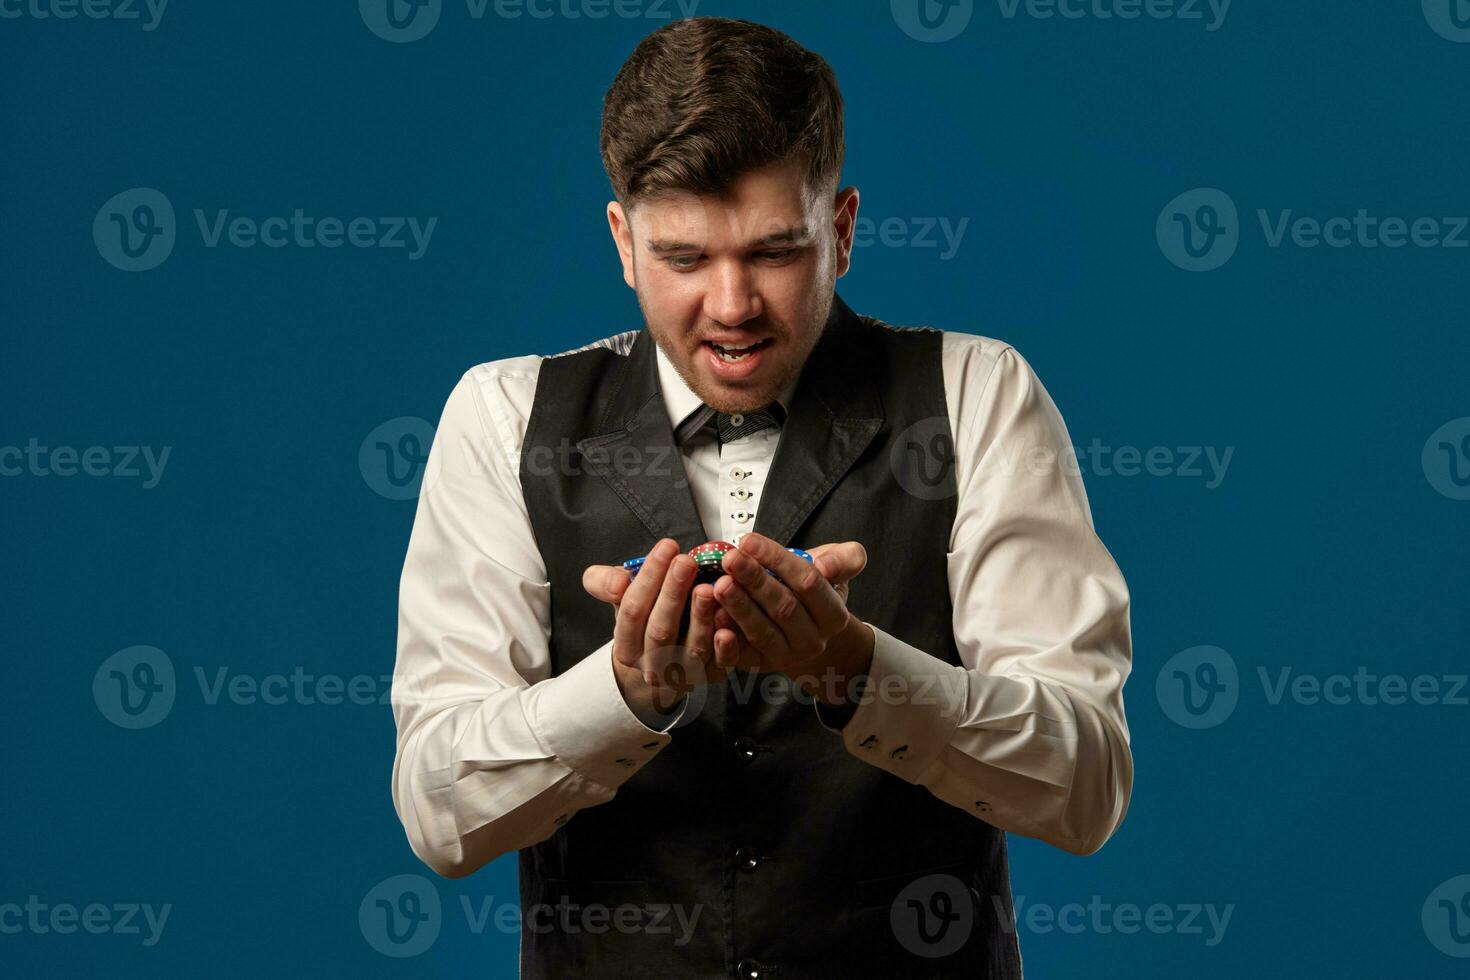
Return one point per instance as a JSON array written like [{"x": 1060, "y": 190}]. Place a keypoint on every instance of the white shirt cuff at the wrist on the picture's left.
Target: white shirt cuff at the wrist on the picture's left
[{"x": 583, "y": 718}]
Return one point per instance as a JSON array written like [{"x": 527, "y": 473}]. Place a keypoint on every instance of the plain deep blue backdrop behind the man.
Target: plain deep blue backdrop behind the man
[{"x": 264, "y": 549}]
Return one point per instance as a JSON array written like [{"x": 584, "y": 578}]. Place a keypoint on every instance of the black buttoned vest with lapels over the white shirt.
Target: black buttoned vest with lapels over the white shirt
[{"x": 756, "y": 818}]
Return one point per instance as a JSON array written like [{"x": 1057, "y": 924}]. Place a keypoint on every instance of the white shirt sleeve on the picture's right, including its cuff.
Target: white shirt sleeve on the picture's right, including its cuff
[{"x": 1030, "y": 734}]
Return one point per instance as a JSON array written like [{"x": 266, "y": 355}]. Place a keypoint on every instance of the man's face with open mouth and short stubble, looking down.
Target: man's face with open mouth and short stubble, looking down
[{"x": 753, "y": 270}]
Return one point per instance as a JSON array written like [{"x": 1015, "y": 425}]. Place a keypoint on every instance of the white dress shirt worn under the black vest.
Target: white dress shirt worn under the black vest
[{"x": 496, "y": 754}]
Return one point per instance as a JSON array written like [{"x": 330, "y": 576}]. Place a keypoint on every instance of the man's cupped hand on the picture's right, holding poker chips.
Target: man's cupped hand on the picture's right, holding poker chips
[{"x": 799, "y": 625}]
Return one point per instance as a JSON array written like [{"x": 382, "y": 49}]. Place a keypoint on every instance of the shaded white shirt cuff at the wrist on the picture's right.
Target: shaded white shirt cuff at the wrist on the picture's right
[{"x": 906, "y": 710}]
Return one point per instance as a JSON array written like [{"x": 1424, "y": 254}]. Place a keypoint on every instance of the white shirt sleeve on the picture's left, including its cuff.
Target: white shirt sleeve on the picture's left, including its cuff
[{"x": 493, "y": 753}]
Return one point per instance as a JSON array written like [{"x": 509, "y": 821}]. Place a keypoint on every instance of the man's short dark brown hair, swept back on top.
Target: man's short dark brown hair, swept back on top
[{"x": 705, "y": 101}]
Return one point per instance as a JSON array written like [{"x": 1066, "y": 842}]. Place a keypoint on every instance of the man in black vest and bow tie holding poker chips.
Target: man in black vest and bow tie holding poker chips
[{"x": 815, "y": 777}]
